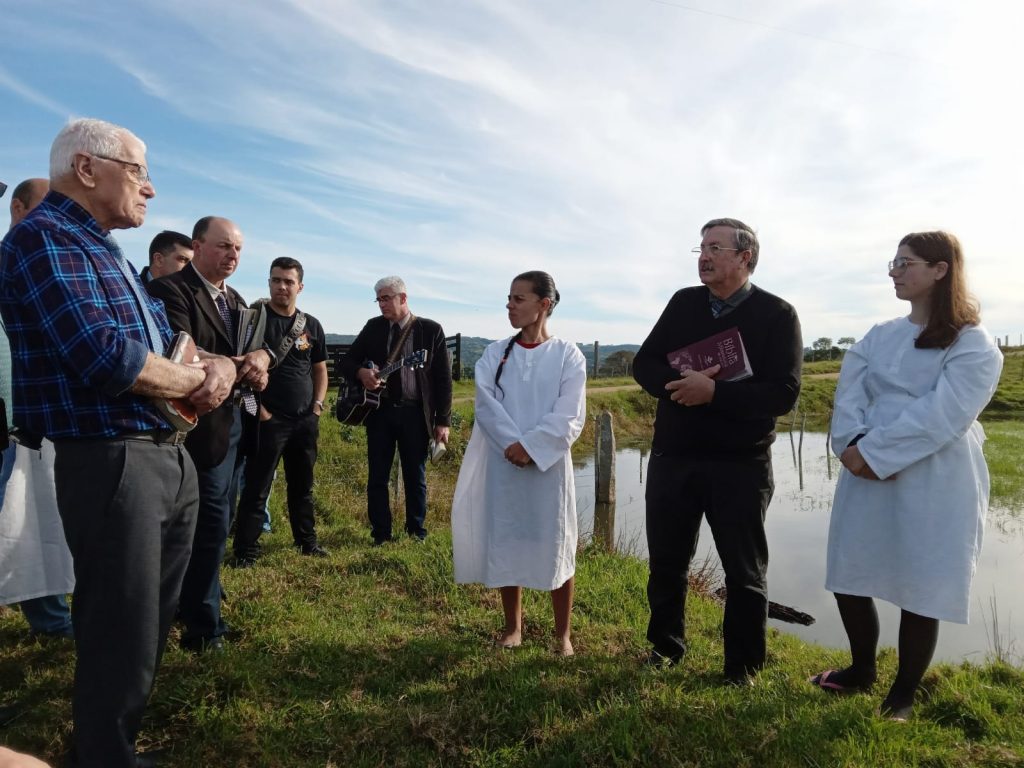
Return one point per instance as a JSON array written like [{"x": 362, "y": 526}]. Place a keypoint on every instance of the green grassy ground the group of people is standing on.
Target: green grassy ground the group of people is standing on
[{"x": 375, "y": 658}]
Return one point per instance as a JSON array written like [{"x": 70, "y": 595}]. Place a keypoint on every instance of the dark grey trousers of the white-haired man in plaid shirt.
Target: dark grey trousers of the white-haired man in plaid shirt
[{"x": 129, "y": 509}]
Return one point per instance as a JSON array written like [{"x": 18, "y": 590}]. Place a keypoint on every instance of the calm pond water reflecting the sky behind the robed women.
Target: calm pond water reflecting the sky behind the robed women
[{"x": 797, "y": 526}]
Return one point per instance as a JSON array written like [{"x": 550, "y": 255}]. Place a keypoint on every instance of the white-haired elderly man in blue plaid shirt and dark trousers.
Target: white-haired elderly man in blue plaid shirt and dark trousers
[{"x": 88, "y": 350}]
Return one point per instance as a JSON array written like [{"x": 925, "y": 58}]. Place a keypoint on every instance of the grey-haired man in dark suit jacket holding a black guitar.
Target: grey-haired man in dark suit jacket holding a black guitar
[{"x": 416, "y": 406}]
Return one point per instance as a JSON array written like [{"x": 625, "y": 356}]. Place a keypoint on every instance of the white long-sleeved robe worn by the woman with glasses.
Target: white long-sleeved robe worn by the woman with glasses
[{"x": 914, "y": 537}]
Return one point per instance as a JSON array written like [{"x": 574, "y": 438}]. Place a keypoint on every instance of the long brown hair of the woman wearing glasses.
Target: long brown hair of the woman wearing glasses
[{"x": 952, "y": 307}]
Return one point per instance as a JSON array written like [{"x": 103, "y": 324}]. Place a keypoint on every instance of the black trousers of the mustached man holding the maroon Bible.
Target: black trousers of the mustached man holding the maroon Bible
[{"x": 735, "y": 496}]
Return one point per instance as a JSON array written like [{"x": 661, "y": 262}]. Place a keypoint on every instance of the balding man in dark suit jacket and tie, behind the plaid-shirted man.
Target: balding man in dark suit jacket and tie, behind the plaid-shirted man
[{"x": 198, "y": 302}]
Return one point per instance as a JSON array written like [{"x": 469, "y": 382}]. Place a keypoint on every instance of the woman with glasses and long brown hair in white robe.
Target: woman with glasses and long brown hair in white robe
[{"x": 910, "y": 508}]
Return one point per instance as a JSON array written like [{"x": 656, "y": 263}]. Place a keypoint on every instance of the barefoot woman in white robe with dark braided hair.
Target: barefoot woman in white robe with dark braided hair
[{"x": 514, "y": 517}]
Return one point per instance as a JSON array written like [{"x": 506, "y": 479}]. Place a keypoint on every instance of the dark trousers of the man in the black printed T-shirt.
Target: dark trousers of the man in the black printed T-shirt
[{"x": 293, "y": 440}]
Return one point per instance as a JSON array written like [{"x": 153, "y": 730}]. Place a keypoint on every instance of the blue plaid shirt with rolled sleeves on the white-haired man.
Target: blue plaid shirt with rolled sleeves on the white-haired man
[{"x": 78, "y": 334}]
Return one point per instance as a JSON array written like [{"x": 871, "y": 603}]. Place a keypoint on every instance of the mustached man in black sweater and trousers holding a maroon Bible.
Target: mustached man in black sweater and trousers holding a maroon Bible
[{"x": 712, "y": 448}]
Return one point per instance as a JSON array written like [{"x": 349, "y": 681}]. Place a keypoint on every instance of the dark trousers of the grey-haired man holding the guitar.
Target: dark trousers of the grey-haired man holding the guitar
[{"x": 403, "y": 426}]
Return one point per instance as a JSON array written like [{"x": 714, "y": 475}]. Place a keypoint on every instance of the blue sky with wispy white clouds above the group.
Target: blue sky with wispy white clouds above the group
[{"x": 458, "y": 143}]
